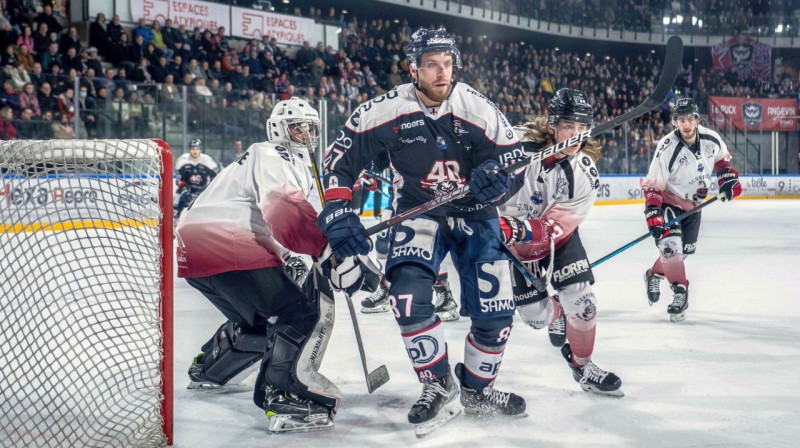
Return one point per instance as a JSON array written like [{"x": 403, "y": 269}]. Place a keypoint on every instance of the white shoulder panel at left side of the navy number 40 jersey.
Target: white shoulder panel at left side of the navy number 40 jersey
[{"x": 383, "y": 108}]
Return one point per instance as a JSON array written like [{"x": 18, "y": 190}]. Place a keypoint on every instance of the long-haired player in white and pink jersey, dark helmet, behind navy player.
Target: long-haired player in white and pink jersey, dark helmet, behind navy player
[{"x": 540, "y": 223}]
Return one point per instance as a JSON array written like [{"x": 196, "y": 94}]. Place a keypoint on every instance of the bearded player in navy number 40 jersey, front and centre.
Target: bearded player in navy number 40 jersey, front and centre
[{"x": 439, "y": 134}]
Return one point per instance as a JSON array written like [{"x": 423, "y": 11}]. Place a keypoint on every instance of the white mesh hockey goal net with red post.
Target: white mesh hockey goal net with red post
[{"x": 85, "y": 293}]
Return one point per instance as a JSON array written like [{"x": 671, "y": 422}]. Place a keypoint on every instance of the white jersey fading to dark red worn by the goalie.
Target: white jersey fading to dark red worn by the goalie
[{"x": 256, "y": 207}]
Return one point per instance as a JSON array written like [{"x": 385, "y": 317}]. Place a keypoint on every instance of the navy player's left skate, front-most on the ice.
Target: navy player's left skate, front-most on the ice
[{"x": 436, "y": 406}]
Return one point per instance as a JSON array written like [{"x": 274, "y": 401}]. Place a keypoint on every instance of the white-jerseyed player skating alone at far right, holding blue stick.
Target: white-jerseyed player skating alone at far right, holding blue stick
[{"x": 678, "y": 180}]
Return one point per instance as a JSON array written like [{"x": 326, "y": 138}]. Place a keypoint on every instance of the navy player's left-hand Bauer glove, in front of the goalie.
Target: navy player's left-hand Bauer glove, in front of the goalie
[{"x": 344, "y": 230}]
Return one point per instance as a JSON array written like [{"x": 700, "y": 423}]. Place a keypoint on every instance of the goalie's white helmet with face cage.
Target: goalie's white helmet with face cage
[{"x": 291, "y": 112}]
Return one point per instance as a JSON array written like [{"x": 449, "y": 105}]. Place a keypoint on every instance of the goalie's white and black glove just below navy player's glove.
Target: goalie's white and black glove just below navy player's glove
[{"x": 351, "y": 274}]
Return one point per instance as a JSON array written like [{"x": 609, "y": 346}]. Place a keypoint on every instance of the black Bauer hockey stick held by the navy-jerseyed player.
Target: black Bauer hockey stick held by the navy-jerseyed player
[{"x": 669, "y": 72}]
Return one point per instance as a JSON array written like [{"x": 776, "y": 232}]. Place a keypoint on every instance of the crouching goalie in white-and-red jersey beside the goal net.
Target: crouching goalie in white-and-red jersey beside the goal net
[{"x": 230, "y": 246}]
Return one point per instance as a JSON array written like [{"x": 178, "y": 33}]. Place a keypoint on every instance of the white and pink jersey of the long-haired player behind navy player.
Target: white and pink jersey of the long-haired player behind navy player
[{"x": 561, "y": 192}]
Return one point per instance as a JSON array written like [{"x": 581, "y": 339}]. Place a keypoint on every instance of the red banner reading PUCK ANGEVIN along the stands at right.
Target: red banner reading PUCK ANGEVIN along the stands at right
[{"x": 753, "y": 114}]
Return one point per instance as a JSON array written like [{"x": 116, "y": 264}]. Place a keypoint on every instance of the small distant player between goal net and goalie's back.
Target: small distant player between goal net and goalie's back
[{"x": 195, "y": 171}]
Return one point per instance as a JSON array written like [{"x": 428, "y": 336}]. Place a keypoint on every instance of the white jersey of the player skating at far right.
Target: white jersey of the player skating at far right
[{"x": 683, "y": 174}]
